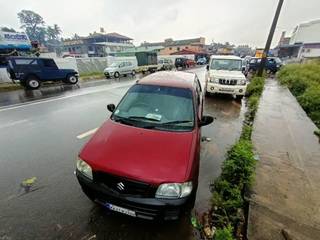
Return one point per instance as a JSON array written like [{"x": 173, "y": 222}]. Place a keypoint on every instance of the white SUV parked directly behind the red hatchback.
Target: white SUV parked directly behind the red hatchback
[{"x": 225, "y": 75}]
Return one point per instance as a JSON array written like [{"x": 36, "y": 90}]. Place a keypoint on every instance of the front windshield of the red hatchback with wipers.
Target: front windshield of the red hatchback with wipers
[{"x": 157, "y": 107}]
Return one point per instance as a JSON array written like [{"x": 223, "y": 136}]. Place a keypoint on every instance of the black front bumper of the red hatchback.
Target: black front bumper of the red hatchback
[{"x": 145, "y": 208}]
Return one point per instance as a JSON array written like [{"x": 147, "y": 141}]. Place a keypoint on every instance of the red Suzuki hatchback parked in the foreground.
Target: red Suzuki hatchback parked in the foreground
[{"x": 144, "y": 160}]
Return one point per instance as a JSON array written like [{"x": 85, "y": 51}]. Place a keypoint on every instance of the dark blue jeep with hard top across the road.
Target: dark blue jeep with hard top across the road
[{"x": 33, "y": 71}]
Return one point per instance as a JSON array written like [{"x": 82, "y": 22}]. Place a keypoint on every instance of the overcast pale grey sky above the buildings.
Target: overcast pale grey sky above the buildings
[{"x": 236, "y": 21}]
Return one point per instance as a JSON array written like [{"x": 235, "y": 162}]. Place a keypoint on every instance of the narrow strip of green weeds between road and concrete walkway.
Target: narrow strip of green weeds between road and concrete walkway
[{"x": 238, "y": 171}]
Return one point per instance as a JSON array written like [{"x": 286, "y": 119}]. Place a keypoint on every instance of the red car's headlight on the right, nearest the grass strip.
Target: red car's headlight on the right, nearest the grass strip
[{"x": 174, "y": 190}]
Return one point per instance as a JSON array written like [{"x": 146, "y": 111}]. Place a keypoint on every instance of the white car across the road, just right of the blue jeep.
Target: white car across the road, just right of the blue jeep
[{"x": 118, "y": 69}]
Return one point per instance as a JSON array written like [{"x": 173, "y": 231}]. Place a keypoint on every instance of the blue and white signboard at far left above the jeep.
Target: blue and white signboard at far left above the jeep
[{"x": 19, "y": 41}]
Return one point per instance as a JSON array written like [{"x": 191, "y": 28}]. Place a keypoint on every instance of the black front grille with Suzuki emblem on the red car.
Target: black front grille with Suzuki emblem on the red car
[{"x": 124, "y": 186}]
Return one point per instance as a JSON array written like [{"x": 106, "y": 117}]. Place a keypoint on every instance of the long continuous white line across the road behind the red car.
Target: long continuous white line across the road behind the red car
[{"x": 36, "y": 102}]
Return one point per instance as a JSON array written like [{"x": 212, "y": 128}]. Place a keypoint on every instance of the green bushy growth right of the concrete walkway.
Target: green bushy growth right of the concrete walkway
[{"x": 303, "y": 80}]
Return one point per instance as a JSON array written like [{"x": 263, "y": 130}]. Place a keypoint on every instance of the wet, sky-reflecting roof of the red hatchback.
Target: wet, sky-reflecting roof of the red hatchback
[{"x": 170, "y": 79}]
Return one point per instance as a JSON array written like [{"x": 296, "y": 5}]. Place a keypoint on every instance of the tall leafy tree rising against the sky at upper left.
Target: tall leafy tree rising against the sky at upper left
[{"x": 33, "y": 24}]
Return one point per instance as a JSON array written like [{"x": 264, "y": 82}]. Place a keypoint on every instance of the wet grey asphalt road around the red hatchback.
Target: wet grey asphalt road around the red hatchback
[{"x": 39, "y": 139}]
